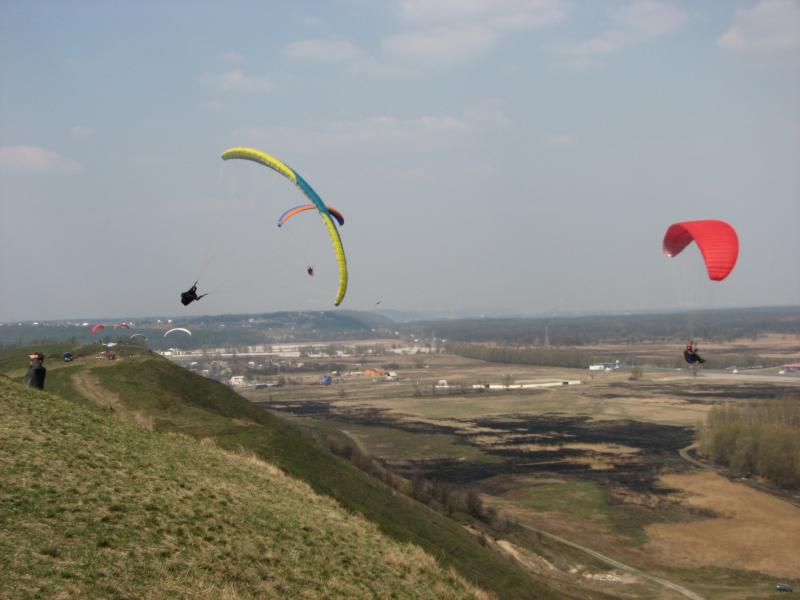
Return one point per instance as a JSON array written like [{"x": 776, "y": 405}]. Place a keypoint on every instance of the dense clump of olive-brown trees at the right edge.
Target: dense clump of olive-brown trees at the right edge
[{"x": 758, "y": 438}]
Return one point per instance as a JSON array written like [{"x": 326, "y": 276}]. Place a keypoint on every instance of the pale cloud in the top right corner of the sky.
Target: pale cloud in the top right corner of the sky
[{"x": 768, "y": 25}]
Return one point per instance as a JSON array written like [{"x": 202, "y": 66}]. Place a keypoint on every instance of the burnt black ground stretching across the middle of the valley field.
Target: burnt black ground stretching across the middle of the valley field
[{"x": 658, "y": 446}]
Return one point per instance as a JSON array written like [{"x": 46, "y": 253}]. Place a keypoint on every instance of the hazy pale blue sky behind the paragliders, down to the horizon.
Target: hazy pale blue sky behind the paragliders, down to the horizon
[{"x": 507, "y": 155}]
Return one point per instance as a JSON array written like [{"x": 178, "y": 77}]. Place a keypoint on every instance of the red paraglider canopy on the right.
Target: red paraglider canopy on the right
[{"x": 716, "y": 239}]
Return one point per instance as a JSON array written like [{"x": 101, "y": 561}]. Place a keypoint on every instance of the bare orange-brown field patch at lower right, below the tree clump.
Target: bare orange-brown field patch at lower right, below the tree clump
[{"x": 755, "y": 531}]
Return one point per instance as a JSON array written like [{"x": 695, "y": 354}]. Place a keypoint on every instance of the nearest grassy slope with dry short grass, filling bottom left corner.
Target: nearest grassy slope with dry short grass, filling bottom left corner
[{"x": 92, "y": 506}]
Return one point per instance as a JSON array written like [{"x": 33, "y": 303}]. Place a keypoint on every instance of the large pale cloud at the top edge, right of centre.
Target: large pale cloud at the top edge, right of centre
[{"x": 452, "y": 30}]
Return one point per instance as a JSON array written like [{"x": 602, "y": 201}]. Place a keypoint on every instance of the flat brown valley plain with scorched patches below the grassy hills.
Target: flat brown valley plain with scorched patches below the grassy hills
[{"x": 596, "y": 462}]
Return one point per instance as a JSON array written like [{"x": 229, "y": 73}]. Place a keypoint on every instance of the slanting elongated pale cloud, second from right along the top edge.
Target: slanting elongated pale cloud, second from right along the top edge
[{"x": 632, "y": 24}]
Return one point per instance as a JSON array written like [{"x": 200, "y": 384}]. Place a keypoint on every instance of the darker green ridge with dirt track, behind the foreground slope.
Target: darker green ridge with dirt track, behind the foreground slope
[{"x": 167, "y": 398}]
